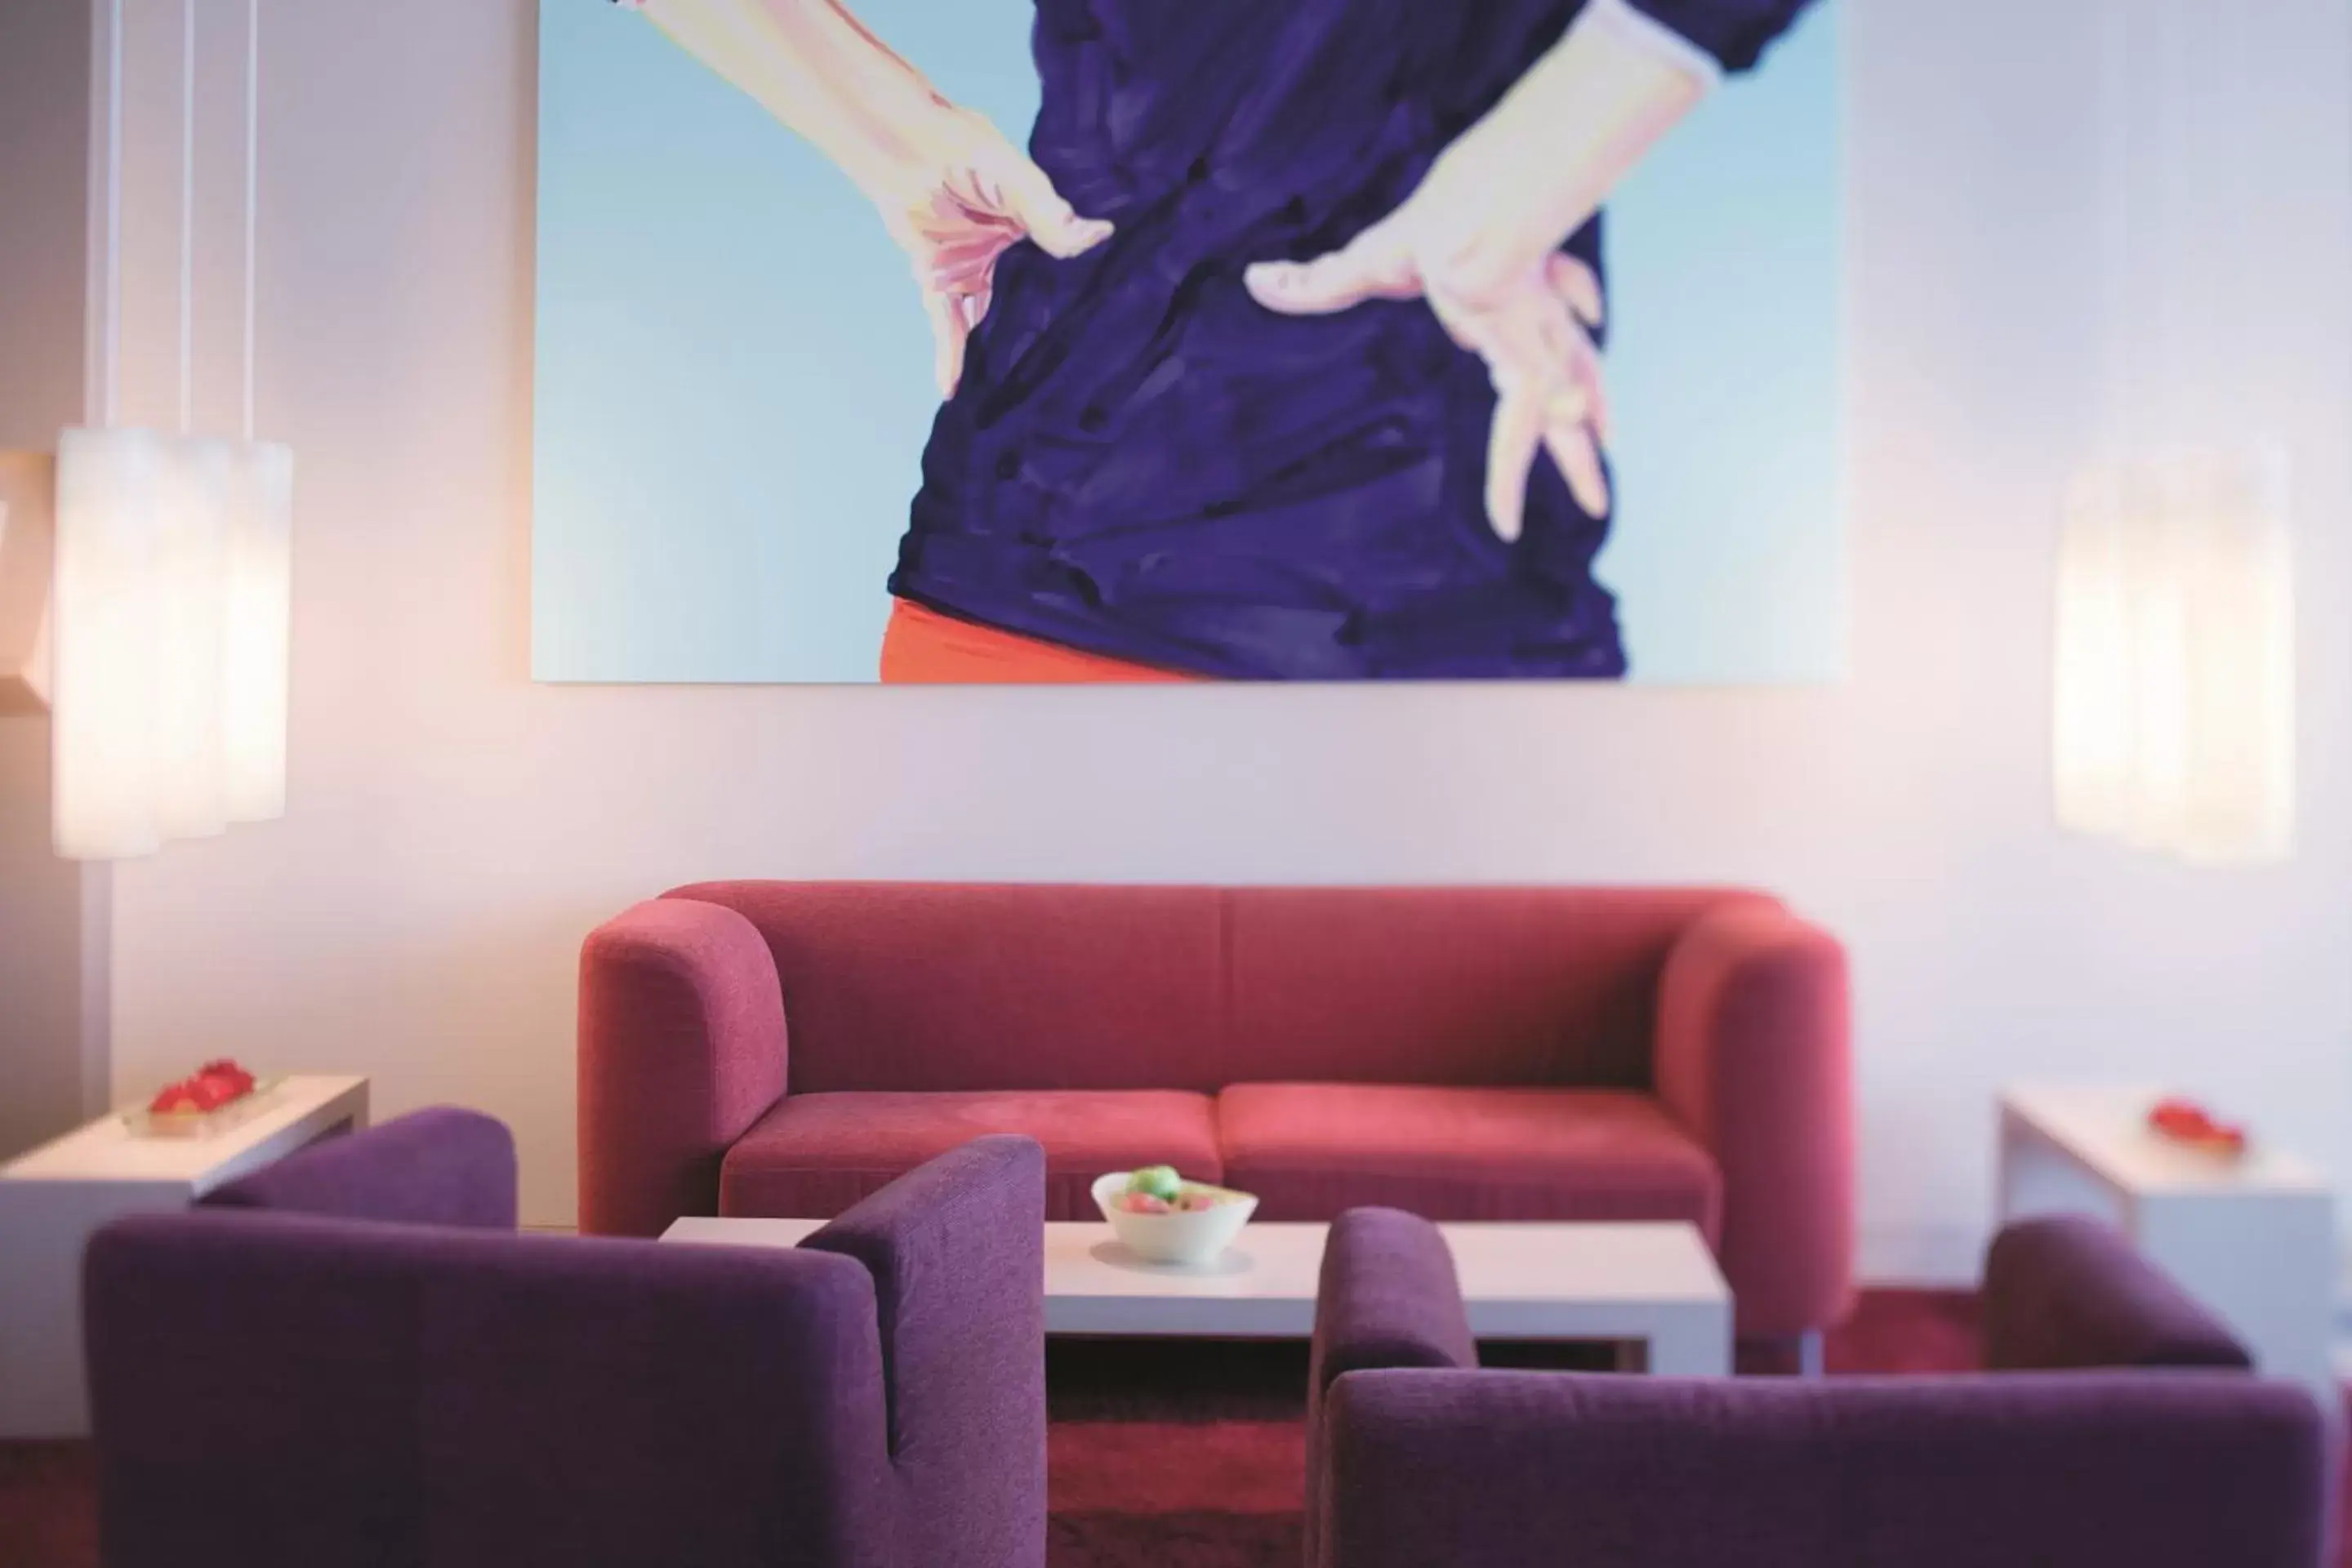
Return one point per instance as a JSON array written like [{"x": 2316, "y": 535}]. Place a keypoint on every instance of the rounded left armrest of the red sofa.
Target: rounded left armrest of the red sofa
[{"x": 681, "y": 1050}]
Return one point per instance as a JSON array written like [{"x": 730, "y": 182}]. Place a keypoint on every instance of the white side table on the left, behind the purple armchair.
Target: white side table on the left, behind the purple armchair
[{"x": 53, "y": 1198}]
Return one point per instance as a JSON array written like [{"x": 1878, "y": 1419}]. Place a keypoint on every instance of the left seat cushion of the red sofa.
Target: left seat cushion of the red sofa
[{"x": 815, "y": 1155}]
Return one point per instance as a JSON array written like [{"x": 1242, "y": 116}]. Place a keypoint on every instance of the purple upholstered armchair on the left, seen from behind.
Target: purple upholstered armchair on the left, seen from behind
[{"x": 354, "y": 1360}]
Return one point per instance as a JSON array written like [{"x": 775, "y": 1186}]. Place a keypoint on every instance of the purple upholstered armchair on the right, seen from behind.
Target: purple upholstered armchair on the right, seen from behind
[{"x": 1419, "y": 1459}]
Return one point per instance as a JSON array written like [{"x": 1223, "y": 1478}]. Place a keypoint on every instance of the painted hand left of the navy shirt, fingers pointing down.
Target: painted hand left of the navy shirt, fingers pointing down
[{"x": 970, "y": 196}]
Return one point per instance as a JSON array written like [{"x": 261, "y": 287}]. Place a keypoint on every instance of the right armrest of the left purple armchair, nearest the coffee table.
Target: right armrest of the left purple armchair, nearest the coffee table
[{"x": 956, "y": 1252}]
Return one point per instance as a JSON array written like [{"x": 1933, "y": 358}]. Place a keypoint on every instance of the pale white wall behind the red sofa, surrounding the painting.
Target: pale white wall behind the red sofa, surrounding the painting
[{"x": 455, "y": 829}]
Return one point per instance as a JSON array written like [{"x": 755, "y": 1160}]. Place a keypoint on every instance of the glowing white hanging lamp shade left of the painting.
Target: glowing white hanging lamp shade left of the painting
[{"x": 171, "y": 638}]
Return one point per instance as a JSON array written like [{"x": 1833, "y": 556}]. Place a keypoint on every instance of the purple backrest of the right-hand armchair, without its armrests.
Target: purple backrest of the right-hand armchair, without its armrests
[{"x": 1497, "y": 1470}]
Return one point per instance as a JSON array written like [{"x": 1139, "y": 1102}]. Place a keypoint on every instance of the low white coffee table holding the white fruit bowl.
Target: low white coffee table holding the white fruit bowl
[{"x": 1652, "y": 1289}]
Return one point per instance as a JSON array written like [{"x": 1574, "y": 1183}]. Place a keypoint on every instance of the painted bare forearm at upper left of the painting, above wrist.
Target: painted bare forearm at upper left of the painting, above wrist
[{"x": 817, "y": 72}]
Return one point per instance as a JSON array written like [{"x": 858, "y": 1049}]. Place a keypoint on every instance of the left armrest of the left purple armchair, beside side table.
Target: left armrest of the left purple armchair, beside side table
[{"x": 432, "y": 1167}]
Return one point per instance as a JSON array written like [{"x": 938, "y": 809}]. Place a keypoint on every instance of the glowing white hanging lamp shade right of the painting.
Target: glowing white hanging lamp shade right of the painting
[{"x": 2174, "y": 657}]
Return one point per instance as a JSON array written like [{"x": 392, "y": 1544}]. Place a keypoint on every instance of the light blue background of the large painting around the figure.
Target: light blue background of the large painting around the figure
[{"x": 735, "y": 377}]
